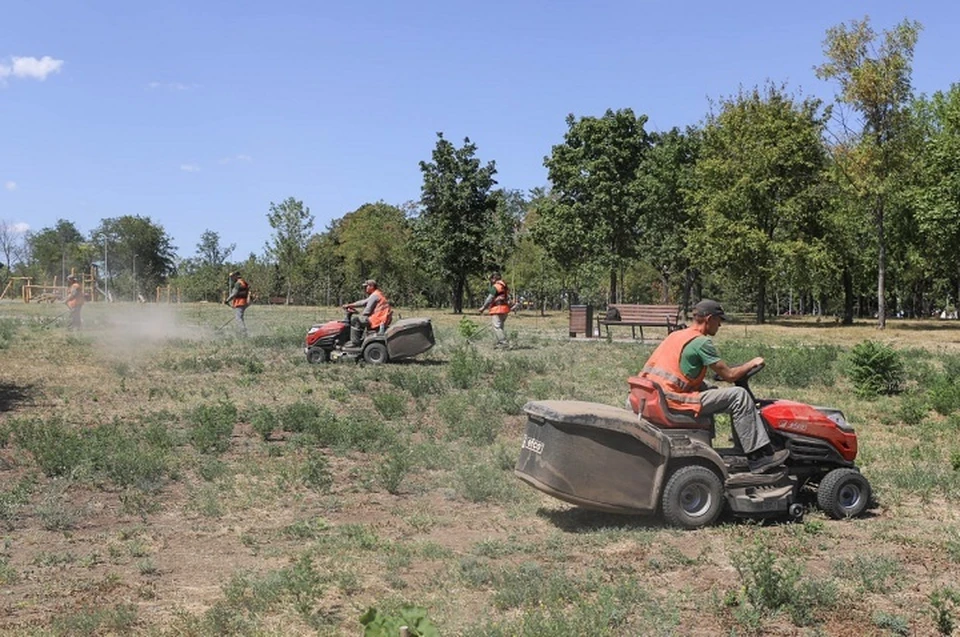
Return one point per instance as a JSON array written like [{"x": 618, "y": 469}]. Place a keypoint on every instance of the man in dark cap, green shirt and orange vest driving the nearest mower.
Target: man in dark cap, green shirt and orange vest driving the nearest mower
[{"x": 679, "y": 365}]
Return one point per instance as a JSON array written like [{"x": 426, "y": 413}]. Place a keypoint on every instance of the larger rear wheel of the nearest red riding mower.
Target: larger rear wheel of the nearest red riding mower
[{"x": 692, "y": 498}]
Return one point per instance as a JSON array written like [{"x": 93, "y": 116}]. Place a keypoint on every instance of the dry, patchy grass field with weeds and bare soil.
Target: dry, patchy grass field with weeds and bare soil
[{"x": 161, "y": 476}]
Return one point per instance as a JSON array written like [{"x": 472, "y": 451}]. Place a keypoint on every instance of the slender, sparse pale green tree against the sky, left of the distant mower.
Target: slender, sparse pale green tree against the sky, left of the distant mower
[{"x": 292, "y": 226}]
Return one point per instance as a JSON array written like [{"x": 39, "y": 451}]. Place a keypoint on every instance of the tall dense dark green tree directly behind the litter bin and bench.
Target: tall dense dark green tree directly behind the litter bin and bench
[{"x": 593, "y": 214}]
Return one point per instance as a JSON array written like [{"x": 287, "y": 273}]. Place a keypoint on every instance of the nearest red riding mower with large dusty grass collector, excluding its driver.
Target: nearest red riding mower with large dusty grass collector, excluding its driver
[{"x": 651, "y": 458}]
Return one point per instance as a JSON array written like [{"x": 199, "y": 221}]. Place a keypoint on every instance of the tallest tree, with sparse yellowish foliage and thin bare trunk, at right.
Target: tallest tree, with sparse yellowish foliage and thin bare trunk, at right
[{"x": 875, "y": 80}]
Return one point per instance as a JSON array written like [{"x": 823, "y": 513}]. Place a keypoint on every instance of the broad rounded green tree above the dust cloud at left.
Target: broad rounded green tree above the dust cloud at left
[{"x": 140, "y": 254}]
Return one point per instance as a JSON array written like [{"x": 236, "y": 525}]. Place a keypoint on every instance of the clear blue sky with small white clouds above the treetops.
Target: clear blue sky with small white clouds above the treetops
[{"x": 199, "y": 114}]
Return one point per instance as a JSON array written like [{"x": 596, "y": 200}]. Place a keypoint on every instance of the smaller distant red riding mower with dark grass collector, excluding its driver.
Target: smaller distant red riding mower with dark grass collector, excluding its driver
[{"x": 397, "y": 341}]
